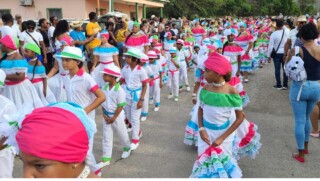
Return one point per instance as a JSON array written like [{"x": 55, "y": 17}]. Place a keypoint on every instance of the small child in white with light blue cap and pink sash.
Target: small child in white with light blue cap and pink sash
[{"x": 173, "y": 77}]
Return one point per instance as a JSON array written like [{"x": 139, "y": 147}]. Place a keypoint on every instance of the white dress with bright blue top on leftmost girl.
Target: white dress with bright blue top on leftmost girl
[{"x": 22, "y": 93}]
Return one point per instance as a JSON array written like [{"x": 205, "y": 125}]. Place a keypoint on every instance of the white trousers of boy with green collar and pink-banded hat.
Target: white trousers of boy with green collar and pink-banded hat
[{"x": 107, "y": 140}]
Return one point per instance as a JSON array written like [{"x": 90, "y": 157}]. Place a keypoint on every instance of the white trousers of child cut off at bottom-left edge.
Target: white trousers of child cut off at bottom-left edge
[{"x": 6, "y": 162}]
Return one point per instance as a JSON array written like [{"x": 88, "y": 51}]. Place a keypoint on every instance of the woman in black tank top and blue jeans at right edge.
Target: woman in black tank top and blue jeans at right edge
[{"x": 304, "y": 95}]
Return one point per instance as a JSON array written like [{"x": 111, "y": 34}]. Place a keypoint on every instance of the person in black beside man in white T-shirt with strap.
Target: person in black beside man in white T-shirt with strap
[{"x": 44, "y": 26}]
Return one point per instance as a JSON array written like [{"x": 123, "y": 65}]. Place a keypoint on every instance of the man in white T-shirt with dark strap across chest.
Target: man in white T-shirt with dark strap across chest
[{"x": 32, "y": 36}]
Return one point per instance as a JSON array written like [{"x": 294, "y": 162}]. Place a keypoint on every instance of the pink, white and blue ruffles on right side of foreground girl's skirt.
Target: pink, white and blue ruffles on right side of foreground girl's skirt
[{"x": 249, "y": 145}]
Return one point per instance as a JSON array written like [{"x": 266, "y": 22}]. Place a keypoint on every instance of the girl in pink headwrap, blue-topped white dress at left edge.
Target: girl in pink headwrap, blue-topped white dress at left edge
[{"x": 18, "y": 88}]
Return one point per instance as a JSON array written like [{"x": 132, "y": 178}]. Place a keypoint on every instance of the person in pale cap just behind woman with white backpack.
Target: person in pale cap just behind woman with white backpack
[{"x": 292, "y": 39}]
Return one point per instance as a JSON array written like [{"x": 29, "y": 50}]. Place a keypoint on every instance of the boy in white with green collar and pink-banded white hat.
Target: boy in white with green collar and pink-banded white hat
[{"x": 113, "y": 114}]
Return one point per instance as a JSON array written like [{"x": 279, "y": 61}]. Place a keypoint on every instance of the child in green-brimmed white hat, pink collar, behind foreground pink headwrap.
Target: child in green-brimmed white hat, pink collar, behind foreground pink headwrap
[{"x": 80, "y": 89}]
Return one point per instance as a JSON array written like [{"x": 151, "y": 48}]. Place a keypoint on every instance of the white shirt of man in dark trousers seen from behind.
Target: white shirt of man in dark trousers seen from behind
[{"x": 275, "y": 40}]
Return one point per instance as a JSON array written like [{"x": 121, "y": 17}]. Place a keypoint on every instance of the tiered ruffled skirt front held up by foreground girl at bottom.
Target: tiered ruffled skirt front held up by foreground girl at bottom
[{"x": 214, "y": 163}]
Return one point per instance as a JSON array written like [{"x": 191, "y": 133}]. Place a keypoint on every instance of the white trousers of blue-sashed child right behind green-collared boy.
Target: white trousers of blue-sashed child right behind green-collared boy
[{"x": 133, "y": 115}]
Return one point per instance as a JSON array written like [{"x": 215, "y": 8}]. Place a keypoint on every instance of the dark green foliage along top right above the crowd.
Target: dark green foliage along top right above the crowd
[{"x": 211, "y": 8}]
